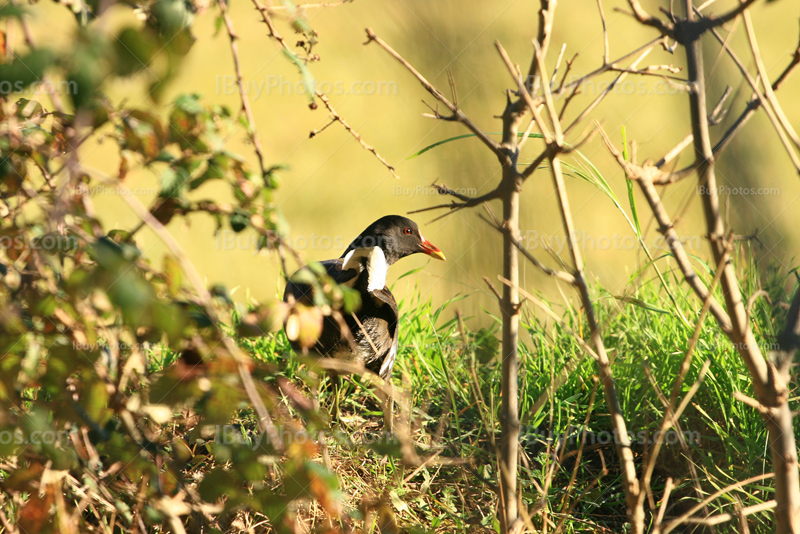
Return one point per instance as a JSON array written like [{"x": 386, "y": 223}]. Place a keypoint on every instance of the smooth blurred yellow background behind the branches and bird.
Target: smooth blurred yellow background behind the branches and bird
[{"x": 333, "y": 188}]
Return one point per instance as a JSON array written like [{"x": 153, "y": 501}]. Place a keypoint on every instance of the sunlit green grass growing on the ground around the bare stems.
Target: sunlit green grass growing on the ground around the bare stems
[{"x": 452, "y": 378}]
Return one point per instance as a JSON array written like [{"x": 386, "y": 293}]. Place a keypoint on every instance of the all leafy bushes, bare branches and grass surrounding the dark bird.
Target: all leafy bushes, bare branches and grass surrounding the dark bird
[{"x": 136, "y": 398}]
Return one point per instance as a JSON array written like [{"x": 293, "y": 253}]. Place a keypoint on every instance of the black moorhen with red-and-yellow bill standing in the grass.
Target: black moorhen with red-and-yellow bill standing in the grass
[{"x": 363, "y": 267}]
